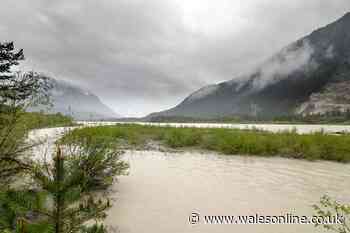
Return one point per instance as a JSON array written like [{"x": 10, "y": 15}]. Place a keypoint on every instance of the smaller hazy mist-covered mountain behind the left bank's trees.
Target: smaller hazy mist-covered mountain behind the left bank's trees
[{"x": 76, "y": 102}]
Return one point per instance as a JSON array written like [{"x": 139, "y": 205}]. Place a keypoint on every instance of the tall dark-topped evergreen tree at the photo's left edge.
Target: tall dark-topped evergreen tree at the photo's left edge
[{"x": 17, "y": 90}]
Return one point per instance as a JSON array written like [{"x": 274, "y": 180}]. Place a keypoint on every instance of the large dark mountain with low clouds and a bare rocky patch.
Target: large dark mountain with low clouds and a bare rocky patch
[{"x": 299, "y": 79}]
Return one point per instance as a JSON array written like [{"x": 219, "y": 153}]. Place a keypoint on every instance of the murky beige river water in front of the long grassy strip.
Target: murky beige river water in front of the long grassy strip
[{"x": 163, "y": 189}]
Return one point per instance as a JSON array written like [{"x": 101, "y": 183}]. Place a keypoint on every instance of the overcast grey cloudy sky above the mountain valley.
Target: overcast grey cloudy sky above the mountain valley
[{"x": 141, "y": 56}]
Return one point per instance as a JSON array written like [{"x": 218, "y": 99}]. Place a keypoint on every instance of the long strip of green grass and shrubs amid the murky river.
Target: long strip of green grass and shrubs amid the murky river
[{"x": 317, "y": 146}]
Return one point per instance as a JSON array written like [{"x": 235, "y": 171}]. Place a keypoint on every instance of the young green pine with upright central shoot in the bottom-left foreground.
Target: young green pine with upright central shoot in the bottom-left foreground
[{"x": 61, "y": 200}]
